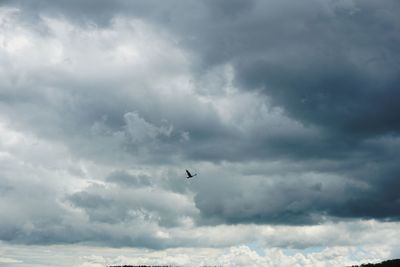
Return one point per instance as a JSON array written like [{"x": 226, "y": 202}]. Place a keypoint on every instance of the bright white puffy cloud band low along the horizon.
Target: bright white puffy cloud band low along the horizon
[{"x": 236, "y": 256}]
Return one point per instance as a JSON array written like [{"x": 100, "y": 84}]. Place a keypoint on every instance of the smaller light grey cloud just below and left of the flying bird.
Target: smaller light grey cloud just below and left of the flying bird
[{"x": 118, "y": 203}]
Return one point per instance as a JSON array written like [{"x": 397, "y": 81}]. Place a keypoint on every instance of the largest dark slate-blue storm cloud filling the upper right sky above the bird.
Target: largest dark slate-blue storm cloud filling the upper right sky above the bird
[{"x": 326, "y": 63}]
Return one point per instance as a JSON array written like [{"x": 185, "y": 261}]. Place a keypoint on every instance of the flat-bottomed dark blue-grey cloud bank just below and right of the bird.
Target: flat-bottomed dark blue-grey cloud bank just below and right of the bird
[{"x": 301, "y": 197}]
